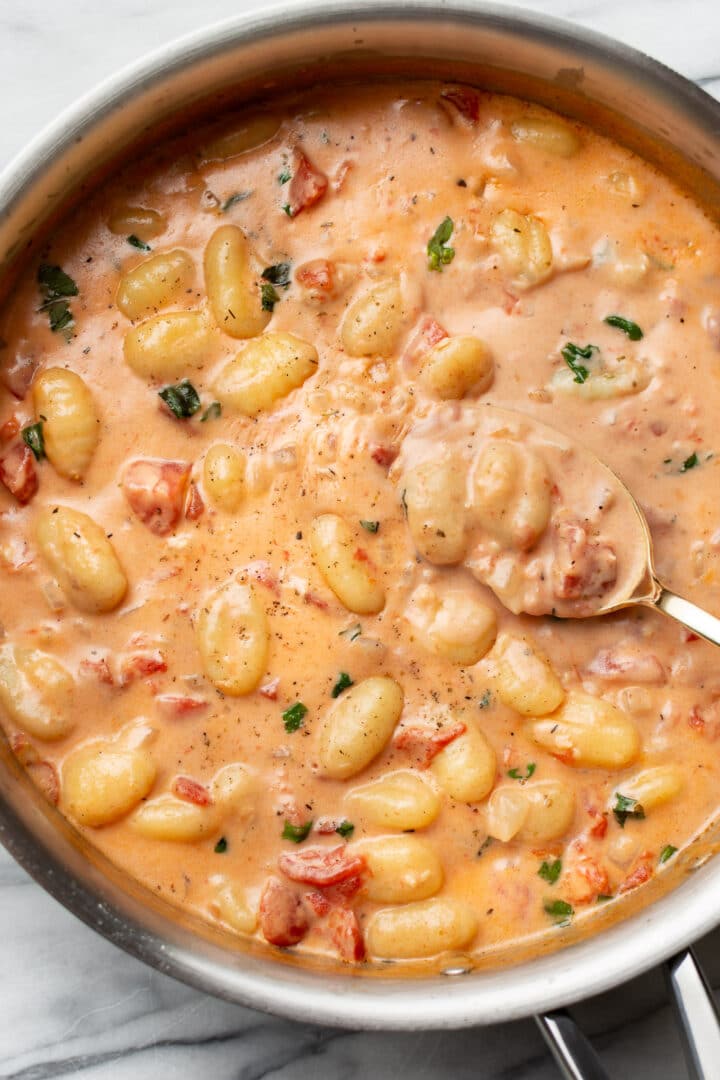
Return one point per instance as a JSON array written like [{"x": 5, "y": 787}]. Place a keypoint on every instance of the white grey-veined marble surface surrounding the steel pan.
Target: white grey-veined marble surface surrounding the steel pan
[{"x": 72, "y": 1005}]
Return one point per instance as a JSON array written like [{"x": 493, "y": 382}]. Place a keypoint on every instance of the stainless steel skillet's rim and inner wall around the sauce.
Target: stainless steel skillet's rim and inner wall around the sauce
[{"x": 575, "y": 72}]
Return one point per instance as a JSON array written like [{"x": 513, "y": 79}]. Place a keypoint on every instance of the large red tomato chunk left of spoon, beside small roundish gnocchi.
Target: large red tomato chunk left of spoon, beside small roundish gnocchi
[{"x": 156, "y": 490}]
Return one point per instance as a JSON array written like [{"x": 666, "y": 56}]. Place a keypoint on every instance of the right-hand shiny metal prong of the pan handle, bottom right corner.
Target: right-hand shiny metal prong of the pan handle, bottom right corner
[{"x": 698, "y": 1014}]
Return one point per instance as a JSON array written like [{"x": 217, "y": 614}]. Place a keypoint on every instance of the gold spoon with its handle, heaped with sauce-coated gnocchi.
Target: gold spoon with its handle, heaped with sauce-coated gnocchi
[{"x": 532, "y": 515}]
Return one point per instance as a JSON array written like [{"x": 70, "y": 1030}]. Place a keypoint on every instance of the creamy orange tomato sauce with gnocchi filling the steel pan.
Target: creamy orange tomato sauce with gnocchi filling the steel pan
[{"x": 261, "y": 545}]
